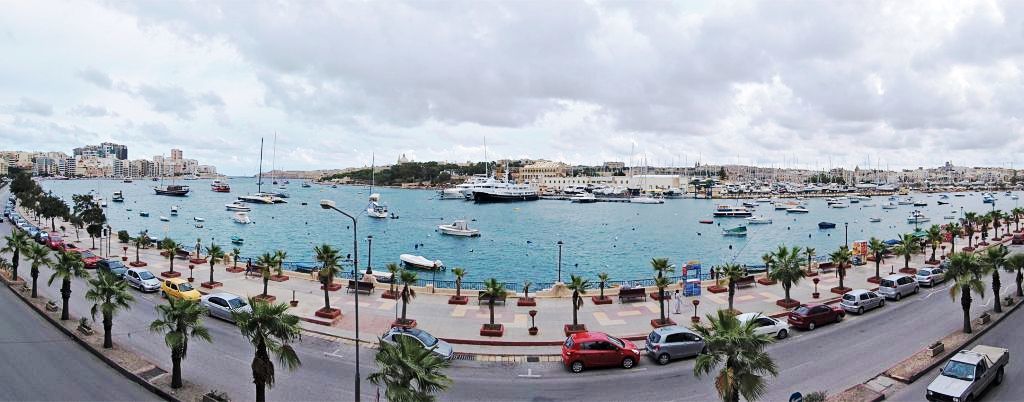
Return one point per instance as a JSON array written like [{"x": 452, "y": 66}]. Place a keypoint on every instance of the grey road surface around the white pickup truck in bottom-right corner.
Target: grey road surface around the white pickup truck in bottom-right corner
[{"x": 1006, "y": 335}]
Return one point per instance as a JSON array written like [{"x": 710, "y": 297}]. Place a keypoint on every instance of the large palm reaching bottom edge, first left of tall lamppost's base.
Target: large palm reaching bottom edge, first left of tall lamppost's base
[{"x": 271, "y": 330}]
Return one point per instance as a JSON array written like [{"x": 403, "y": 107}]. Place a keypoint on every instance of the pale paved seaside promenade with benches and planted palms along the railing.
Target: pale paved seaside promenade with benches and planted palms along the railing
[{"x": 461, "y": 324}]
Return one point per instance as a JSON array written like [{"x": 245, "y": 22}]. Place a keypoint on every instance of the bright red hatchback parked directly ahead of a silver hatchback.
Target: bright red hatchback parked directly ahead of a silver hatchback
[{"x": 587, "y": 350}]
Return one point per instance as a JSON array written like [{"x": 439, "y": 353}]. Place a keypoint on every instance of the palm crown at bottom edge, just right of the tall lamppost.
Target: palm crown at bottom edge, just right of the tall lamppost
[{"x": 409, "y": 372}]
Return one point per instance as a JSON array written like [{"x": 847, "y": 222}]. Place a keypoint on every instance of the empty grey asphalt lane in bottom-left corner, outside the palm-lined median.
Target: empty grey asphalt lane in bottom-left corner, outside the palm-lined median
[{"x": 39, "y": 363}]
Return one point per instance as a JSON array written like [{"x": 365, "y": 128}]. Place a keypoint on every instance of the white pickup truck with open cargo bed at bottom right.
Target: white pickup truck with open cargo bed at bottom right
[{"x": 968, "y": 374}]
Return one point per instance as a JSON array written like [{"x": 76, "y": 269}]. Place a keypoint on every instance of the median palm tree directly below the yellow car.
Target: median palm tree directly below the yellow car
[{"x": 180, "y": 320}]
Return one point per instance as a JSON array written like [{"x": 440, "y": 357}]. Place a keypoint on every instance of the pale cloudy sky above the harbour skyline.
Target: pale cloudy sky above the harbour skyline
[{"x": 806, "y": 84}]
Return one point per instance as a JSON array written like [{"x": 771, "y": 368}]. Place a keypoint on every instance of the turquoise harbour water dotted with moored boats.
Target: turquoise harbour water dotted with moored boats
[{"x": 519, "y": 241}]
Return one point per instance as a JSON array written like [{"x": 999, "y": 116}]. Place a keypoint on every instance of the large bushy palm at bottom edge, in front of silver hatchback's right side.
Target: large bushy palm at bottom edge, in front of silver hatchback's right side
[{"x": 741, "y": 352}]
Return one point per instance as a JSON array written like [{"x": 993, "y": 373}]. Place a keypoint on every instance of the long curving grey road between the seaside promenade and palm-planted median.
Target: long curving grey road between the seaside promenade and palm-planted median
[{"x": 831, "y": 359}]
